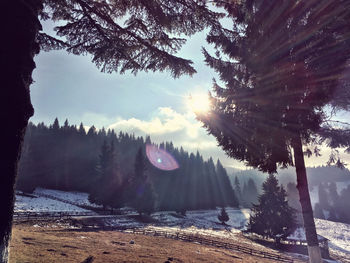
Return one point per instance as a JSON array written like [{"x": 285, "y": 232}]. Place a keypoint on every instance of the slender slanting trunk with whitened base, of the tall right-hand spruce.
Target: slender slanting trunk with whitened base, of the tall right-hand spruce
[{"x": 306, "y": 207}]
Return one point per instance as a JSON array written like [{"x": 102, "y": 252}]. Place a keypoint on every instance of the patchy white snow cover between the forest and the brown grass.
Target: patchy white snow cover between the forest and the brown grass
[{"x": 202, "y": 222}]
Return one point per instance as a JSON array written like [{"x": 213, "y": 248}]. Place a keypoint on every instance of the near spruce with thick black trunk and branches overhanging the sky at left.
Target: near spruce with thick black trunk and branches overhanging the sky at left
[{"x": 147, "y": 40}]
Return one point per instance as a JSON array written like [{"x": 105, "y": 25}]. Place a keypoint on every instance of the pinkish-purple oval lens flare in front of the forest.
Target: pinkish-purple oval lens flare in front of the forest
[{"x": 161, "y": 158}]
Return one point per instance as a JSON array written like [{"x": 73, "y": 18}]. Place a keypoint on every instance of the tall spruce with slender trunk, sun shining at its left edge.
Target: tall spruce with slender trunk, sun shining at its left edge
[{"x": 280, "y": 64}]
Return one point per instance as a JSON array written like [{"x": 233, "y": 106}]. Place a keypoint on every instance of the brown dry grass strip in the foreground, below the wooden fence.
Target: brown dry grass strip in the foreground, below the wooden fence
[{"x": 56, "y": 244}]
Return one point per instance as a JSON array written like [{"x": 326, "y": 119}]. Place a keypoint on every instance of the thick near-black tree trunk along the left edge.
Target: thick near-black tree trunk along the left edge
[{"x": 19, "y": 26}]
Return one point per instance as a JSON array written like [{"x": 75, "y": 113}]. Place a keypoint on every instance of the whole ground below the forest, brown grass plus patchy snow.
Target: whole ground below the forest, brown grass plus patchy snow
[{"x": 52, "y": 242}]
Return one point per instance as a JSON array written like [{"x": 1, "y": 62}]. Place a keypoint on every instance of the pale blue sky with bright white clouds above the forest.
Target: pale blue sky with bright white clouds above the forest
[{"x": 71, "y": 87}]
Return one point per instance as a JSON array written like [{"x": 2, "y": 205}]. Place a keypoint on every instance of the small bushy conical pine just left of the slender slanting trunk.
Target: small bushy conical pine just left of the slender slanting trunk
[{"x": 272, "y": 217}]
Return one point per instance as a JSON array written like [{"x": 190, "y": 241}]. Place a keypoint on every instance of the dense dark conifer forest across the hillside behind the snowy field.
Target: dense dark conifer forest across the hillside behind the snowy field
[{"x": 114, "y": 170}]
